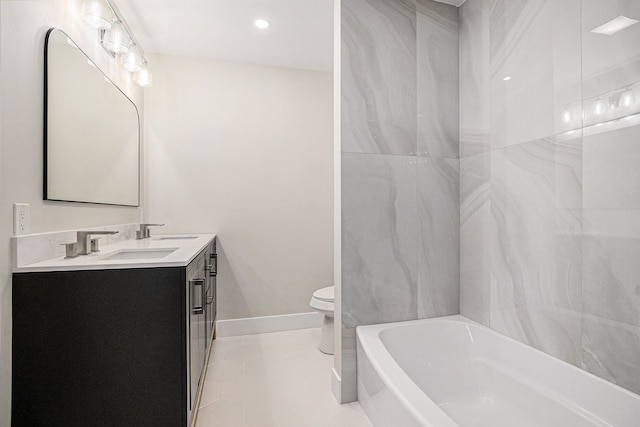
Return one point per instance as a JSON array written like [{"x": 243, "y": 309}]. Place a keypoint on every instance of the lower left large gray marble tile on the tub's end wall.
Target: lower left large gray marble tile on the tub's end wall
[{"x": 379, "y": 229}]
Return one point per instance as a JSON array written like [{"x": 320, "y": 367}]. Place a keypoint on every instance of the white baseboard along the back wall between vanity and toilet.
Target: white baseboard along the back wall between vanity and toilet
[{"x": 261, "y": 325}]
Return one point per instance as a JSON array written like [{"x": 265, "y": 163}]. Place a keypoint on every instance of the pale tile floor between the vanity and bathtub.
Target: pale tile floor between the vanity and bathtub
[{"x": 279, "y": 379}]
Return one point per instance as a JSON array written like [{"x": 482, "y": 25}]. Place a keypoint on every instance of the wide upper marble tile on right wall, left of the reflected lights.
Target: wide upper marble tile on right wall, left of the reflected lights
[{"x": 535, "y": 68}]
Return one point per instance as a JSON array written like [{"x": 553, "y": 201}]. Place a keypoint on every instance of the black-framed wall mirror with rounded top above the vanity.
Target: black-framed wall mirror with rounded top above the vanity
[{"x": 91, "y": 132}]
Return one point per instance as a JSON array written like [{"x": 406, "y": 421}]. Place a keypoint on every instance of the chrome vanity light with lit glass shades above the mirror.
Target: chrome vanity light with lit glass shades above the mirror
[{"x": 117, "y": 38}]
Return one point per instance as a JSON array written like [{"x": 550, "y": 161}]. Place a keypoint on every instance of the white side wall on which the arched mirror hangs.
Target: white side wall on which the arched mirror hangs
[{"x": 22, "y": 31}]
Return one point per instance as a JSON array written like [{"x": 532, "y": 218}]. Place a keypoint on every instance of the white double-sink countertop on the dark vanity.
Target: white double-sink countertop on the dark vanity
[{"x": 185, "y": 251}]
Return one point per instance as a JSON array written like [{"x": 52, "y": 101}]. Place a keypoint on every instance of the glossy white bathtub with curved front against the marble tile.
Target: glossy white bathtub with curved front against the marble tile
[{"x": 451, "y": 371}]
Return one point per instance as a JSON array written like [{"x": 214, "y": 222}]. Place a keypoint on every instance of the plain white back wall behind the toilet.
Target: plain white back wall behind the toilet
[{"x": 246, "y": 151}]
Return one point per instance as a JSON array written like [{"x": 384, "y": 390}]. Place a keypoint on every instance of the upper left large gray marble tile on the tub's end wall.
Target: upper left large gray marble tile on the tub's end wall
[{"x": 379, "y": 76}]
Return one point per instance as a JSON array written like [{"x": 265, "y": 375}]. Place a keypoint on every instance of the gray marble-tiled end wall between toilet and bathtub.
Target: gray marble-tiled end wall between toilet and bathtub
[{"x": 400, "y": 167}]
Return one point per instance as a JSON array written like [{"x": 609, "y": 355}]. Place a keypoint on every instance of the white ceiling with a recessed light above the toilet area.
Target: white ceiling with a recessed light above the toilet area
[{"x": 301, "y": 33}]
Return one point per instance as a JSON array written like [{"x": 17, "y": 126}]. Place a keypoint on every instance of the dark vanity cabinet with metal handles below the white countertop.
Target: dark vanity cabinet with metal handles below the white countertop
[{"x": 112, "y": 347}]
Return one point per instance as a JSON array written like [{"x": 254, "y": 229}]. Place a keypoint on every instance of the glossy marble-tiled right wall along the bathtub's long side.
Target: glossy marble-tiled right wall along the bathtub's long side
[{"x": 549, "y": 191}]
